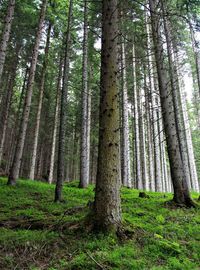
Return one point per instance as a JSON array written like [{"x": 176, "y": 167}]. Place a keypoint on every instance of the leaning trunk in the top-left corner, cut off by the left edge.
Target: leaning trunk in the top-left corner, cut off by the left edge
[{"x": 6, "y": 35}]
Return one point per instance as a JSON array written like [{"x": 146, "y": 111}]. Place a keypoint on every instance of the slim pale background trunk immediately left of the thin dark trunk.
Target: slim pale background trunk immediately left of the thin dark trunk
[{"x": 56, "y": 120}]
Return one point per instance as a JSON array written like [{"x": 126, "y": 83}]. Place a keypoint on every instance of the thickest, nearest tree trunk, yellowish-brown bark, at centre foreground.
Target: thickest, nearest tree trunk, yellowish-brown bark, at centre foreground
[{"x": 107, "y": 209}]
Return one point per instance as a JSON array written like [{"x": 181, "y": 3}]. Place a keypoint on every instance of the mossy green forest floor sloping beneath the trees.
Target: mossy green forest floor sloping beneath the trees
[{"x": 36, "y": 233}]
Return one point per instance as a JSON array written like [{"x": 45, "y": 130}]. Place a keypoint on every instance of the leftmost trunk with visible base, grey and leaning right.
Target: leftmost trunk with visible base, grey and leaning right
[{"x": 15, "y": 168}]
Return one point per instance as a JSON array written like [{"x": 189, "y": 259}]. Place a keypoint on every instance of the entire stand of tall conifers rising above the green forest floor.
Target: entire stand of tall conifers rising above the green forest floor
[{"x": 113, "y": 116}]
